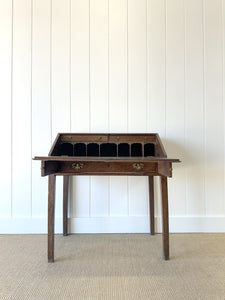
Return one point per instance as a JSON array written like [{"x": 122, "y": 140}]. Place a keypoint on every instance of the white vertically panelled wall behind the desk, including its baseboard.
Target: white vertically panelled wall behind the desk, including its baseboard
[{"x": 113, "y": 66}]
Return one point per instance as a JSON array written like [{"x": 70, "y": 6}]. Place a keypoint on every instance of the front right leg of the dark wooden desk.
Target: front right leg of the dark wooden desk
[{"x": 165, "y": 215}]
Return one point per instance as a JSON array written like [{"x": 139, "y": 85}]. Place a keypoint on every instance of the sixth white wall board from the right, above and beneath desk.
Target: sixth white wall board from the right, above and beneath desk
[{"x": 118, "y": 95}]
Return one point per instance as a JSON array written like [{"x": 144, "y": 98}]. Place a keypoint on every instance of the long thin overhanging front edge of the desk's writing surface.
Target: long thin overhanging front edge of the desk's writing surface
[{"x": 107, "y": 159}]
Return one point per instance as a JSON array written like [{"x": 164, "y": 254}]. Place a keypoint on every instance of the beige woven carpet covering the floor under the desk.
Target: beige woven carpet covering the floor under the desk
[{"x": 113, "y": 266}]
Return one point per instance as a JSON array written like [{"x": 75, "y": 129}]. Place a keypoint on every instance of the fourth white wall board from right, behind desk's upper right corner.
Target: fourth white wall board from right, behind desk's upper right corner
[{"x": 156, "y": 76}]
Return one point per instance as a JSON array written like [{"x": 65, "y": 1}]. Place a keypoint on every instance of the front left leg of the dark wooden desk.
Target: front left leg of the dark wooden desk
[{"x": 51, "y": 216}]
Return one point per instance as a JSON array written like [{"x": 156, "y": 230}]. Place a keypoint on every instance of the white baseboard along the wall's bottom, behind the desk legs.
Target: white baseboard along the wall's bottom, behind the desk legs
[{"x": 135, "y": 224}]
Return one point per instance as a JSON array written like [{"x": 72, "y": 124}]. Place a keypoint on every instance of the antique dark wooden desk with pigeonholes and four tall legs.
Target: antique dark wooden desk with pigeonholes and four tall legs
[{"x": 106, "y": 154}]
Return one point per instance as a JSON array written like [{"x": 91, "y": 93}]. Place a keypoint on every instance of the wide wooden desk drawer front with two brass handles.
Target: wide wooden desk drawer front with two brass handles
[{"x": 108, "y": 167}]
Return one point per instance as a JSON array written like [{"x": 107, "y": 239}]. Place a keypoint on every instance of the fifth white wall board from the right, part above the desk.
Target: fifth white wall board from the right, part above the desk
[{"x": 137, "y": 85}]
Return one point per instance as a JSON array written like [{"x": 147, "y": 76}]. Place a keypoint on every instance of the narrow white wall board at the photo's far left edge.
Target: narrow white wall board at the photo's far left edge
[{"x": 5, "y": 115}]
